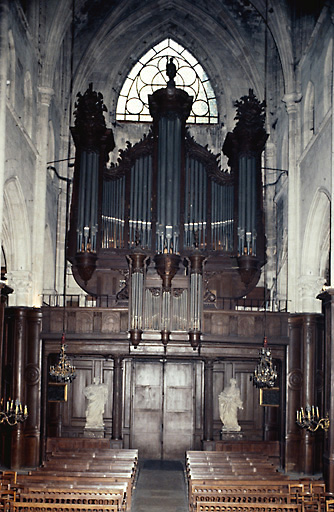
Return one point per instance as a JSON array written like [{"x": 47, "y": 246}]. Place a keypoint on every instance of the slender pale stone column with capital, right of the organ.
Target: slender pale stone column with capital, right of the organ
[{"x": 291, "y": 102}]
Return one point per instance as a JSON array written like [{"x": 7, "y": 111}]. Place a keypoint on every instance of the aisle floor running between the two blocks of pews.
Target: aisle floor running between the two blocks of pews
[{"x": 160, "y": 487}]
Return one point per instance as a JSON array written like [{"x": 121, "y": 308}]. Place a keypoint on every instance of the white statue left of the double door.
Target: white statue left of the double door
[{"x": 97, "y": 395}]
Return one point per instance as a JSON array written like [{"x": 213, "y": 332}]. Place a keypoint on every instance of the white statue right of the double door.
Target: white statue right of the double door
[{"x": 229, "y": 403}]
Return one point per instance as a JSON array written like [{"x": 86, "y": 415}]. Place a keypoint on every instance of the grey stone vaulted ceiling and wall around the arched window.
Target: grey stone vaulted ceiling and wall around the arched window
[{"x": 241, "y": 44}]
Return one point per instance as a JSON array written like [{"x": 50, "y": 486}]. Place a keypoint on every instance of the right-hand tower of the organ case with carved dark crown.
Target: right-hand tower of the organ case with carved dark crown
[{"x": 244, "y": 146}]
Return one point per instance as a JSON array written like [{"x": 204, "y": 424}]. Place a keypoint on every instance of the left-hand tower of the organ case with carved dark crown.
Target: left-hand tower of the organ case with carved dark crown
[{"x": 93, "y": 142}]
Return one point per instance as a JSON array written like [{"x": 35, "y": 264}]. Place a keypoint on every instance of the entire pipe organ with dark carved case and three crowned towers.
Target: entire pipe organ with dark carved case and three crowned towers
[{"x": 167, "y": 213}]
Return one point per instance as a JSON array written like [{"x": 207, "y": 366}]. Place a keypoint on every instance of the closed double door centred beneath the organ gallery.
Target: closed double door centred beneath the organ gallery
[{"x": 163, "y": 408}]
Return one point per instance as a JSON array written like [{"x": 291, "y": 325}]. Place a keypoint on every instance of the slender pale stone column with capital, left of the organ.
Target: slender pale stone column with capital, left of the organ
[{"x": 45, "y": 96}]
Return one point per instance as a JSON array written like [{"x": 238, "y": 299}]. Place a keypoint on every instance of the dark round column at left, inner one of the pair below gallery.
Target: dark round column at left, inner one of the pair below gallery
[{"x": 32, "y": 431}]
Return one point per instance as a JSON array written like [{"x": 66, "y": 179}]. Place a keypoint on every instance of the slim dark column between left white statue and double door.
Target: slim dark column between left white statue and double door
[{"x": 117, "y": 409}]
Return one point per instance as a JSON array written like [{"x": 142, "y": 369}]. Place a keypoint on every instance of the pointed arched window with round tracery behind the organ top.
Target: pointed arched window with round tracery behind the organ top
[{"x": 149, "y": 74}]
